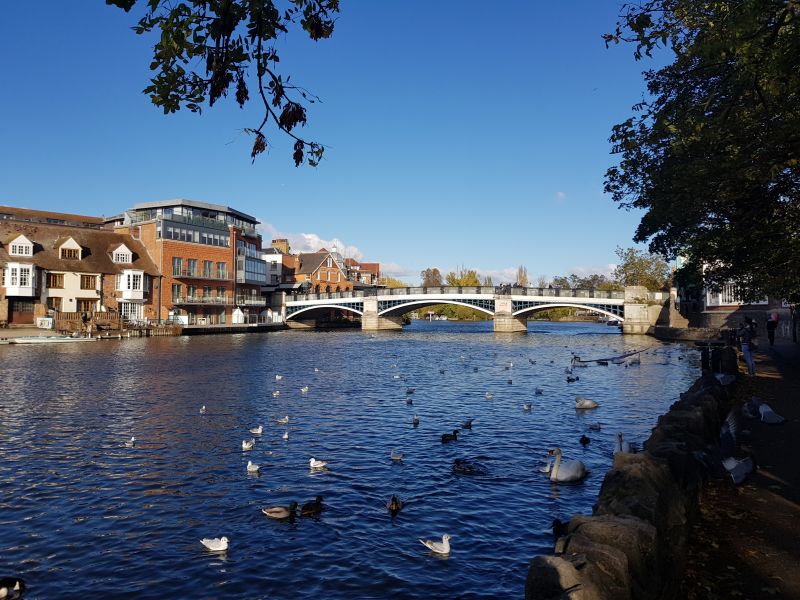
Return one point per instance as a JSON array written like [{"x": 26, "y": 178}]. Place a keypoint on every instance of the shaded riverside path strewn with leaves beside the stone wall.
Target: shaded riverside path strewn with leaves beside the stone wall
[{"x": 747, "y": 541}]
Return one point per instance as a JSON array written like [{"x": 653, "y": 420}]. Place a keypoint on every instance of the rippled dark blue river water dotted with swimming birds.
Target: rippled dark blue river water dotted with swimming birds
[{"x": 81, "y": 513}]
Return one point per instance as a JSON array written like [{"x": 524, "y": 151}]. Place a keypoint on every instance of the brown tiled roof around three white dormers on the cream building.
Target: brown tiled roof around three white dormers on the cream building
[{"x": 95, "y": 243}]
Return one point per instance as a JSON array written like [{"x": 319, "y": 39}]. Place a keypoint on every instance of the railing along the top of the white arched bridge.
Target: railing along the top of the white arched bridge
[{"x": 487, "y": 290}]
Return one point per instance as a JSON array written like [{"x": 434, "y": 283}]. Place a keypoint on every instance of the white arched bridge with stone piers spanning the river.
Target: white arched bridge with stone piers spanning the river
[{"x": 510, "y": 307}]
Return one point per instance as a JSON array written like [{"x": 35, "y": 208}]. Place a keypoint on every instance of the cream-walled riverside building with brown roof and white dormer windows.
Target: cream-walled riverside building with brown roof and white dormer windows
[{"x": 55, "y": 262}]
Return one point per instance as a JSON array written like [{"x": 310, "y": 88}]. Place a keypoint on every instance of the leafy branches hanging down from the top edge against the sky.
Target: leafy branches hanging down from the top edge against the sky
[{"x": 204, "y": 48}]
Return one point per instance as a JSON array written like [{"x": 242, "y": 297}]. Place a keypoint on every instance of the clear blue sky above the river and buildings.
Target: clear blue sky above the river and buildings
[{"x": 460, "y": 133}]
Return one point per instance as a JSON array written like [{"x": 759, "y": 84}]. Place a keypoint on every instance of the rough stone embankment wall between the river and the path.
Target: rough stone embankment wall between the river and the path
[{"x": 634, "y": 544}]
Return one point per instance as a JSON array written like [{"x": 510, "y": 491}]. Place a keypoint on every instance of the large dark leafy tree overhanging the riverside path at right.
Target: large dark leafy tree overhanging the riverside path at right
[{"x": 713, "y": 155}]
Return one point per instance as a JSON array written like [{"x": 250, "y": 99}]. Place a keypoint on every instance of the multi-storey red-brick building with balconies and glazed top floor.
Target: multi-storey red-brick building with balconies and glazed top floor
[{"x": 209, "y": 255}]
